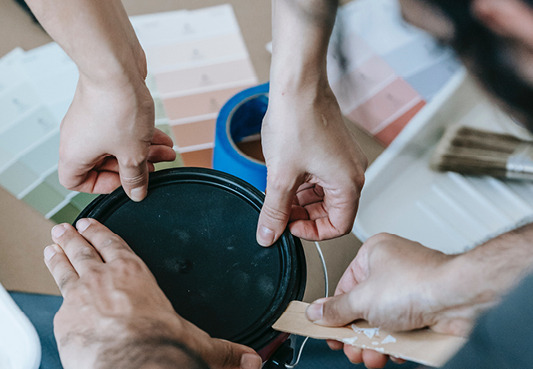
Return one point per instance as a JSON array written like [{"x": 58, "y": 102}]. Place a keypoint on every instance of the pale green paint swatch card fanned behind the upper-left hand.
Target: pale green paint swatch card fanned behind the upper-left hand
[{"x": 36, "y": 88}]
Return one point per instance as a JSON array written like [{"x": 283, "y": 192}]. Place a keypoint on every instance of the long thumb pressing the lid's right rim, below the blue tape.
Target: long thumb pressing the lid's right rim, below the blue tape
[{"x": 276, "y": 209}]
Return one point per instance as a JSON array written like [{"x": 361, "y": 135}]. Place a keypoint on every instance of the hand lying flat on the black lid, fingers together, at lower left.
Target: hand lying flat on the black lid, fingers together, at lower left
[{"x": 114, "y": 315}]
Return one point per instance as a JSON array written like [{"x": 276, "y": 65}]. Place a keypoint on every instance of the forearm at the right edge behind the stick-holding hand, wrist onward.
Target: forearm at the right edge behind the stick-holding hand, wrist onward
[{"x": 490, "y": 270}]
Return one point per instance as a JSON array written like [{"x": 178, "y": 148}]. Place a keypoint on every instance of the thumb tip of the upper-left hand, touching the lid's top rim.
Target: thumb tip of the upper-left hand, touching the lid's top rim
[{"x": 134, "y": 178}]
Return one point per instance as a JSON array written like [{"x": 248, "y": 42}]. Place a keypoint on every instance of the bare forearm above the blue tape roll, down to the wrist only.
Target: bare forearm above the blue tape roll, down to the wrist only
[{"x": 301, "y": 32}]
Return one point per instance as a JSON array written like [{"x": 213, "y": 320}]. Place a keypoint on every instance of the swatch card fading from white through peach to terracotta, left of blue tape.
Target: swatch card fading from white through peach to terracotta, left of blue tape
[{"x": 199, "y": 60}]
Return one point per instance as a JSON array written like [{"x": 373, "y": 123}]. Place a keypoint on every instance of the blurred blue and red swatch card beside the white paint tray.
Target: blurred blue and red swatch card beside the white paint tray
[{"x": 382, "y": 70}]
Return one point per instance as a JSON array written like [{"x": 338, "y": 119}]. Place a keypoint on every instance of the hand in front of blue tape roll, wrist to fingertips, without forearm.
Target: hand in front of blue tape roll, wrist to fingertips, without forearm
[{"x": 315, "y": 167}]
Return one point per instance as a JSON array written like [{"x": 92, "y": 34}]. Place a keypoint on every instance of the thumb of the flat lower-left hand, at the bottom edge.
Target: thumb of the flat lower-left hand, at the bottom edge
[{"x": 227, "y": 355}]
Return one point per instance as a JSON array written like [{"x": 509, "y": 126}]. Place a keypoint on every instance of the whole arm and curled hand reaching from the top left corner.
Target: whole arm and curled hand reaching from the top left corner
[{"x": 107, "y": 136}]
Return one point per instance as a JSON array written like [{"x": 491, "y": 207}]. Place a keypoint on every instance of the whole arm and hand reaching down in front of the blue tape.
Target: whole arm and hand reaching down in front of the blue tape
[{"x": 315, "y": 166}]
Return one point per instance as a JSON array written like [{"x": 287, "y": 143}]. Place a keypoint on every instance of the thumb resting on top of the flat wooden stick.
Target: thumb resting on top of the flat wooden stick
[{"x": 336, "y": 311}]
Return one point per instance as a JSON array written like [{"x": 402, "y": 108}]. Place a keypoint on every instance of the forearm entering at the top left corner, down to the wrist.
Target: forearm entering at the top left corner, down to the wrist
[{"x": 97, "y": 35}]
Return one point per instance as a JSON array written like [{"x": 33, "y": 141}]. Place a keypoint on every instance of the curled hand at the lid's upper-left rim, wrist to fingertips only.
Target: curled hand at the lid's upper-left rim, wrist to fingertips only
[{"x": 108, "y": 138}]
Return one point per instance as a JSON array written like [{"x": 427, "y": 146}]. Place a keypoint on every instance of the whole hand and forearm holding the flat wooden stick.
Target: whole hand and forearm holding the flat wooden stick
[{"x": 401, "y": 285}]
